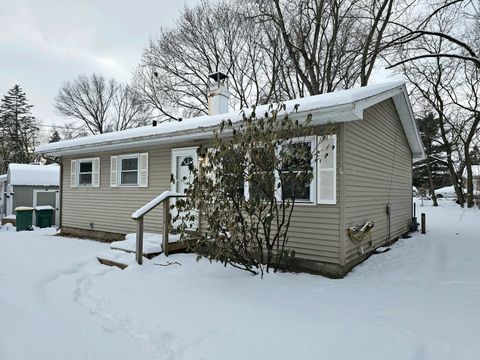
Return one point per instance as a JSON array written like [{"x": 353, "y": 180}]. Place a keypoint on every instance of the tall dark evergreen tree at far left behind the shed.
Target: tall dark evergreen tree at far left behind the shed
[{"x": 18, "y": 129}]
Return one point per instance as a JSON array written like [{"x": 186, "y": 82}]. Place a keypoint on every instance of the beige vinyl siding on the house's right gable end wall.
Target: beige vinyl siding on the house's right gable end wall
[{"x": 378, "y": 170}]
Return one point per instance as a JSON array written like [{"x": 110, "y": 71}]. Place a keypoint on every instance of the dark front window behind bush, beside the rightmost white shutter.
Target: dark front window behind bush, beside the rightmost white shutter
[{"x": 297, "y": 172}]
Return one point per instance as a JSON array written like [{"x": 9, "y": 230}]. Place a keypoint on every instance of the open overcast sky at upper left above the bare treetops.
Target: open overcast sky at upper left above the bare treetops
[{"x": 46, "y": 42}]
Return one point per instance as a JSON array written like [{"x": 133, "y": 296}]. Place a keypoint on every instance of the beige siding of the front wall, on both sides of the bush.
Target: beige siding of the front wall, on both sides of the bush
[{"x": 314, "y": 231}]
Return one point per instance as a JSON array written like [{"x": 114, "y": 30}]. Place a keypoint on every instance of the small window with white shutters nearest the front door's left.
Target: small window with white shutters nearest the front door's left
[{"x": 129, "y": 170}]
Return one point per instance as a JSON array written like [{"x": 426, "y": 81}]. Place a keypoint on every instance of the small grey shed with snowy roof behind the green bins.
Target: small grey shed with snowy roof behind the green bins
[{"x": 31, "y": 185}]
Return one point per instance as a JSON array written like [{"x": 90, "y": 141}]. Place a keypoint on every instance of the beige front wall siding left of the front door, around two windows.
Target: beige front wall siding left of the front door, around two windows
[{"x": 109, "y": 208}]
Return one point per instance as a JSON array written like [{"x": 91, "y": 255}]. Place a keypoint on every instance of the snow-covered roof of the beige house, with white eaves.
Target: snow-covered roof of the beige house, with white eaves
[{"x": 334, "y": 107}]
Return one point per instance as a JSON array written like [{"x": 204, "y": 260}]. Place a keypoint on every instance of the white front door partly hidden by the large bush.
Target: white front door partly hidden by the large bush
[{"x": 182, "y": 159}]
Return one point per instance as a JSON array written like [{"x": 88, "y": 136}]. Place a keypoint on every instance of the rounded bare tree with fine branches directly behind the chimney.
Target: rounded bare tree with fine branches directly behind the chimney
[{"x": 208, "y": 38}]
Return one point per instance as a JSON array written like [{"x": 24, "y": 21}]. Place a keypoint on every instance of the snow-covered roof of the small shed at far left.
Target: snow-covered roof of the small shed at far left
[{"x": 35, "y": 175}]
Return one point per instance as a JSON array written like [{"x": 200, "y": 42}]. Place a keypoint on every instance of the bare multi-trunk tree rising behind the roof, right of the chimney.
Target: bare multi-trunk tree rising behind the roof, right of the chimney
[{"x": 314, "y": 34}]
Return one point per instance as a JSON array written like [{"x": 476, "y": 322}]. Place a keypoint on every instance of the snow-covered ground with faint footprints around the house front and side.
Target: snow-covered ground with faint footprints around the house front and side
[{"x": 420, "y": 300}]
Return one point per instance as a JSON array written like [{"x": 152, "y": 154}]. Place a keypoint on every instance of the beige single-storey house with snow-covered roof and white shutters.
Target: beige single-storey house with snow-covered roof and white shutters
[{"x": 106, "y": 177}]
